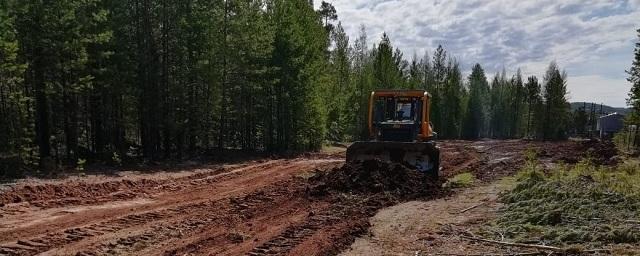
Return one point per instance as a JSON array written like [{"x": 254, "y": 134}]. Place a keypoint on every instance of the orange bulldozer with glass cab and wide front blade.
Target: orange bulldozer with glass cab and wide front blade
[{"x": 400, "y": 131}]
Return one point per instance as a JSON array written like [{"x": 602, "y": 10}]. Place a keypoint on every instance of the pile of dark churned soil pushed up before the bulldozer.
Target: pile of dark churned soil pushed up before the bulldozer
[{"x": 375, "y": 177}]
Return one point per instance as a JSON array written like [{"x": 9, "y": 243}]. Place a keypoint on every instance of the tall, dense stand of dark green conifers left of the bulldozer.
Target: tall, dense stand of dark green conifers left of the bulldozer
[{"x": 161, "y": 79}]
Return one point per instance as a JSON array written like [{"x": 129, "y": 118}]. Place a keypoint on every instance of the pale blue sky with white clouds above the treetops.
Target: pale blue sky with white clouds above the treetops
[{"x": 592, "y": 40}]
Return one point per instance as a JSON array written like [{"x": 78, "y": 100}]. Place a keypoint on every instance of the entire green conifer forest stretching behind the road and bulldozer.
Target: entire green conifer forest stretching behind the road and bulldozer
[{"x": 111, "y": 80}]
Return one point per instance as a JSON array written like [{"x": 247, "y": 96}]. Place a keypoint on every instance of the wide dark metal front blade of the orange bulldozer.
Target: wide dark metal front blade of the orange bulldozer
[{"x": 424, "y": 156}]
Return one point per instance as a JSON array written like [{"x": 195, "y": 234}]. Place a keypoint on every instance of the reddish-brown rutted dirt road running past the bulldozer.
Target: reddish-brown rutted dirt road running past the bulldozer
[{"x": 255, "y": 208}]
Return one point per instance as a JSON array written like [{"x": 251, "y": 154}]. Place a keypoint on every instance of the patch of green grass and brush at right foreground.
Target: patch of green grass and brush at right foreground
[{"x": 580, "y": 204}]
